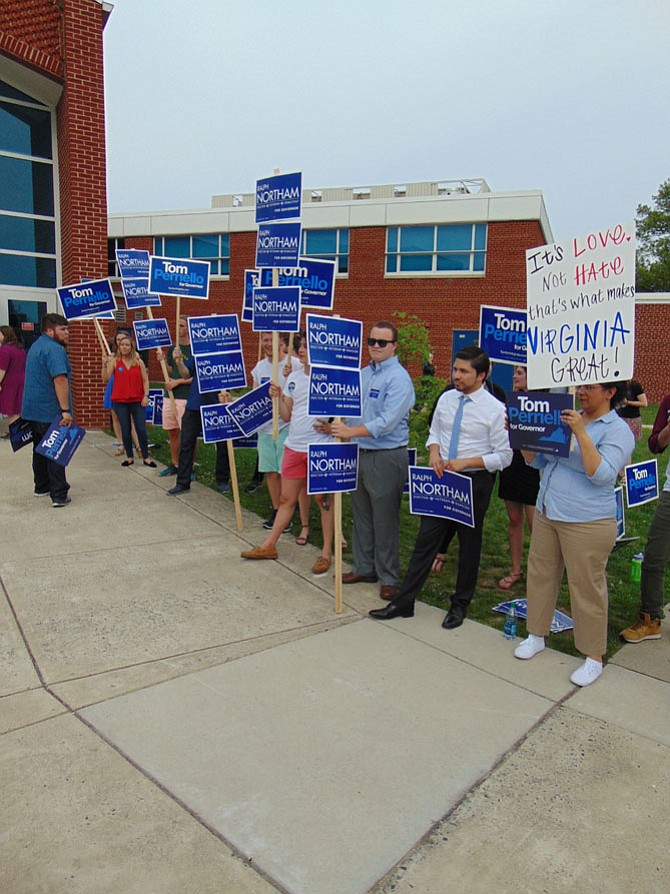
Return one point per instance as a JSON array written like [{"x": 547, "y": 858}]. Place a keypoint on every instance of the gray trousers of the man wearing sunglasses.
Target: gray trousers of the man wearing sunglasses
[{"x": 376, "y": 509}]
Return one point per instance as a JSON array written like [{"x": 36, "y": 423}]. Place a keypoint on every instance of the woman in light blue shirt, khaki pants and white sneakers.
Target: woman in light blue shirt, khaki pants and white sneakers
[{"x": 575, "y": 527}]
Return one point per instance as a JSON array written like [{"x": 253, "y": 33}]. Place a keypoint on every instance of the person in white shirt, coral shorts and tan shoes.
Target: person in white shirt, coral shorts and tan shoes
[{"x": 293, "y": 408}]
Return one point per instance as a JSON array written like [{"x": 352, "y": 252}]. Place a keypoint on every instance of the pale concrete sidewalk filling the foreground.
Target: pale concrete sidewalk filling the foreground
[{"x": 174, "y": 719}]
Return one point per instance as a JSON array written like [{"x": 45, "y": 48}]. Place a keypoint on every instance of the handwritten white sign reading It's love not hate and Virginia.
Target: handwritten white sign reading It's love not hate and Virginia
[{"x": 581, "y": 309}]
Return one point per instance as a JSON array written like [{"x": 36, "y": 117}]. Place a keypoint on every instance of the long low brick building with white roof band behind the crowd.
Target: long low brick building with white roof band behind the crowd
[{"x": 436, "y": 249}]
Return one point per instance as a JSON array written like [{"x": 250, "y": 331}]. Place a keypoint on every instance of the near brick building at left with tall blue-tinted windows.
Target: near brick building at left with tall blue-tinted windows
[{"x": 53, "y": 203}]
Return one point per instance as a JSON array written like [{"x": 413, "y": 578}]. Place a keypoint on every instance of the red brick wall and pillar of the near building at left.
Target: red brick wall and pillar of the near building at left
[{"x": 44, "y": 34}]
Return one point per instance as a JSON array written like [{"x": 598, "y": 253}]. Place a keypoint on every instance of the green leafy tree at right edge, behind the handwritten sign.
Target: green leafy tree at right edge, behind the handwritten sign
[{"x": 653, "y": 235}]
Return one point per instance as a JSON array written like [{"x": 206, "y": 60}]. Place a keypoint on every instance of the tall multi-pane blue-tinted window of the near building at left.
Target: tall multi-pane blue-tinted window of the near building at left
[{"x": 27, "y": 198}]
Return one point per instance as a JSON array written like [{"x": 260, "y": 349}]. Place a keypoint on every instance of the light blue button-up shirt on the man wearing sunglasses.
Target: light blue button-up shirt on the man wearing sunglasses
[{"x": 388, "y": 396}]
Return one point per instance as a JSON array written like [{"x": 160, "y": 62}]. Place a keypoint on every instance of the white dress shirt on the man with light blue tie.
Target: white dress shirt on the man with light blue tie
[{"x": 483, "y": 431}]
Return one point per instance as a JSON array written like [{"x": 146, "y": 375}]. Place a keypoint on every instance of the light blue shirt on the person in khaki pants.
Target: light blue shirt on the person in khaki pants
[{"x": 567, "y": 493}]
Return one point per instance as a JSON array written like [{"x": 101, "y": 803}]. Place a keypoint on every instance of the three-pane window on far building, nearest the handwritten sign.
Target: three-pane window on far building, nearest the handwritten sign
[{"x": 448, "y": 248}]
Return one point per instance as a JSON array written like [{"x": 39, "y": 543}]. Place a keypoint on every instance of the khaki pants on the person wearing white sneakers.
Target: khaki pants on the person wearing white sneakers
[{"x": 582, "y": 549}]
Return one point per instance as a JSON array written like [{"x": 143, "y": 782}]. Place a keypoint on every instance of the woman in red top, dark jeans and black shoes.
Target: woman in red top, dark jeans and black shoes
[{"x": 130, "y": 396}]
